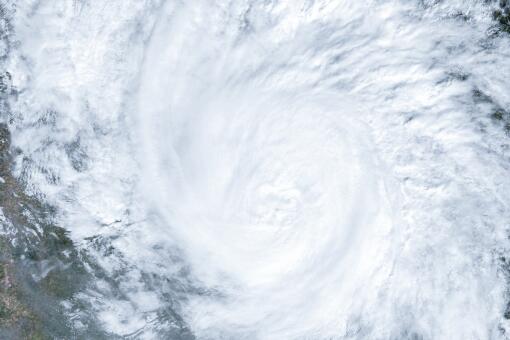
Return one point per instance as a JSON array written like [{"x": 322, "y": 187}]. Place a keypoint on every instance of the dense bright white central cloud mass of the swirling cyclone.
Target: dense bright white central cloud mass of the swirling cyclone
[{"x": 277, "y": 198}]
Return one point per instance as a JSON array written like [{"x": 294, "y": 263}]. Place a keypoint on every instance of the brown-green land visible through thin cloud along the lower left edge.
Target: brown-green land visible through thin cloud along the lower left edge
[{"x": 39, "y": 265}]
